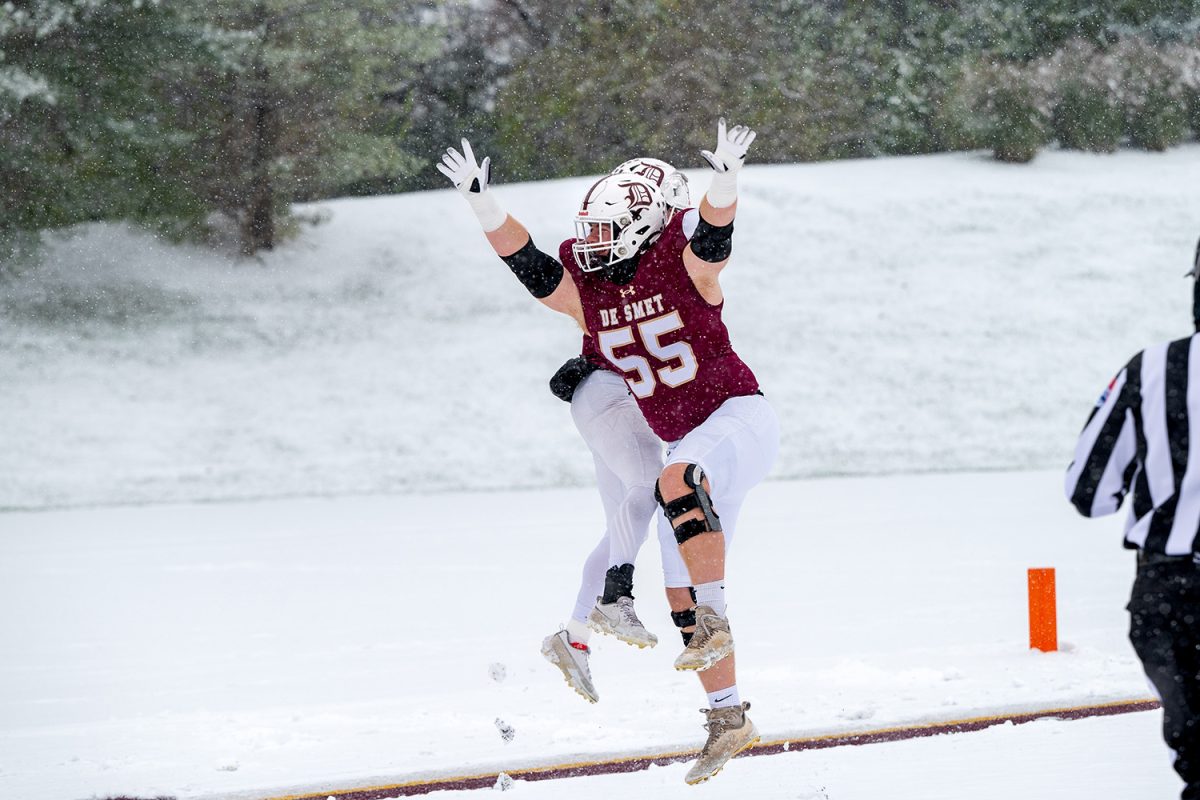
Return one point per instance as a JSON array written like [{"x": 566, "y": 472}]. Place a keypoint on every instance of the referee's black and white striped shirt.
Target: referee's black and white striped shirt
[{"x": 1138, "y": 438}]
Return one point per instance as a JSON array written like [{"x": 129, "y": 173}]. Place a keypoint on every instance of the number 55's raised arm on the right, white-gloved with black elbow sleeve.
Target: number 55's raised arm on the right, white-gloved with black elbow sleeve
[{"x": 709, "y": 252}]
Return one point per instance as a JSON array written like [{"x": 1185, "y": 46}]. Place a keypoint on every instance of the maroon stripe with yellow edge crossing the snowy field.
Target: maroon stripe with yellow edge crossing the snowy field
[{"x": 637, "y": 763}]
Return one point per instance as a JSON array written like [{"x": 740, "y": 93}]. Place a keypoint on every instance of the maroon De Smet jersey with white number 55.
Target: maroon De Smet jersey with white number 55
[{"x": 669, "y": 342}]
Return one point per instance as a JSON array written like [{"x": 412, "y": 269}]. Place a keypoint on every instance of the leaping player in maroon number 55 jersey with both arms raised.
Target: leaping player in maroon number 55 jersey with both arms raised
[{"x": 649, "y": 293}]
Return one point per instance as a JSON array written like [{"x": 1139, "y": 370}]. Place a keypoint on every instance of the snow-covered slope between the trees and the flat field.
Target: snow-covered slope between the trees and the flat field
[{"x": 904, "y": 315}]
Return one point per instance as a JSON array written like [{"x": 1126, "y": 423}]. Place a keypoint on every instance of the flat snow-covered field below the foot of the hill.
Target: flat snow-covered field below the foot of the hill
[{"x": 229, "y": 648}]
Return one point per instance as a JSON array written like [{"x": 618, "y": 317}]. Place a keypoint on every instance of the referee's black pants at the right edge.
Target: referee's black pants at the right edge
[{"x": 1165, "y": 628}]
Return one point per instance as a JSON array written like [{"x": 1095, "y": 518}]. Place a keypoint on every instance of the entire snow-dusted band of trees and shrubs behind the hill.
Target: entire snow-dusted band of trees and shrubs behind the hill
[{"x": 214, "y": 117}]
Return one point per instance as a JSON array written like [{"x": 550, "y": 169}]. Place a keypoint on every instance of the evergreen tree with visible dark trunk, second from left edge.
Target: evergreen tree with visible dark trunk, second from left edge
[{"x": 297, "y": 110}]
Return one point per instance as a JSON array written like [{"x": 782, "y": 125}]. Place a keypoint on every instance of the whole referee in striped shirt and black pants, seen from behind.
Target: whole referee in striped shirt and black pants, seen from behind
[{"x": 1139, "y": 438}]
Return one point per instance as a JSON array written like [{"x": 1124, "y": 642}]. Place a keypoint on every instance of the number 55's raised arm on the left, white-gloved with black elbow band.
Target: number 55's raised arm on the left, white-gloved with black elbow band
[{"x": 539, "y": 273}]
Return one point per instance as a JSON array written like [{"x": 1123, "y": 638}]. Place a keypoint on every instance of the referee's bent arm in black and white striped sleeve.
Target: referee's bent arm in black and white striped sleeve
[{"x": 1105, "y": 466}]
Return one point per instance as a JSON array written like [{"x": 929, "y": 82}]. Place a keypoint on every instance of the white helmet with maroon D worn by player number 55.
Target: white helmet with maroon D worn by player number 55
[{"x": 621, "y": 215}]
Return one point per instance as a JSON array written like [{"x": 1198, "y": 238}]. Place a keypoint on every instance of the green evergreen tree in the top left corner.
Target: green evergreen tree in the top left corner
[{"x": 83, "y": 135}]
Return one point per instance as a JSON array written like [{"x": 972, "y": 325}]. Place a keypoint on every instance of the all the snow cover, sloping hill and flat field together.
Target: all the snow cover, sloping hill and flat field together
[{"x": 932, "y": 332}]
